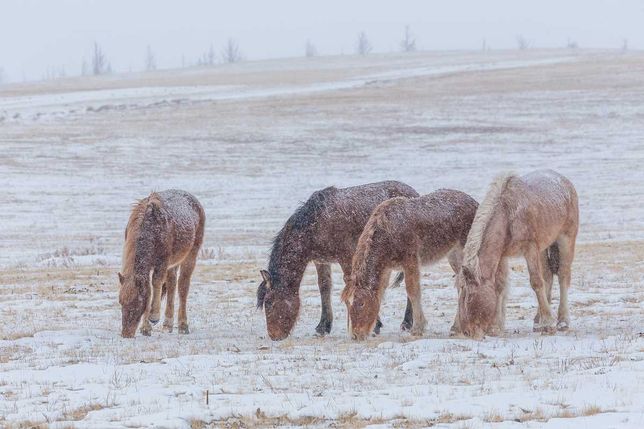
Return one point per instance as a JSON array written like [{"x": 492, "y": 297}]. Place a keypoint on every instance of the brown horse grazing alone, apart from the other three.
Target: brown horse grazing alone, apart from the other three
[{"x": 163, "y": 236}]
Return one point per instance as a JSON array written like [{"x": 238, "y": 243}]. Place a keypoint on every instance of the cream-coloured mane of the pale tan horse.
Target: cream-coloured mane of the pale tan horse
[{"x": 481, "y": 220}]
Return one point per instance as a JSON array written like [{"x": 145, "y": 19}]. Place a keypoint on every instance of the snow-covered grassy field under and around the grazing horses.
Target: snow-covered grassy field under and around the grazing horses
[{"x": 253, "y": 140}]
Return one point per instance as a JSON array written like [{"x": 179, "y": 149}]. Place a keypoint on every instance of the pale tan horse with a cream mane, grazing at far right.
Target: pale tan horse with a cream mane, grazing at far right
[{"x": 536, "y": 216}]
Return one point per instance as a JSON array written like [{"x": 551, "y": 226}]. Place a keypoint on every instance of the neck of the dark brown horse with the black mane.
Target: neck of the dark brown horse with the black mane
[{"x": 288, "y": 261}]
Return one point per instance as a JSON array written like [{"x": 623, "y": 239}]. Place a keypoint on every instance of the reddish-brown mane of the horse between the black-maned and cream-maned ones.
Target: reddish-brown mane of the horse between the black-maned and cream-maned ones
[{"x": 375, "y": 223}]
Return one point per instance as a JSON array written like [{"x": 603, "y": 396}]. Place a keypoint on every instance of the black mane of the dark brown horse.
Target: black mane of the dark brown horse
[{"x": 297, "y": 225}]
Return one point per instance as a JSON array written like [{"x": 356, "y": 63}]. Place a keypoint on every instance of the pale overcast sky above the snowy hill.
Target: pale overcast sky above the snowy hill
[{"x": 36, "y": 35}]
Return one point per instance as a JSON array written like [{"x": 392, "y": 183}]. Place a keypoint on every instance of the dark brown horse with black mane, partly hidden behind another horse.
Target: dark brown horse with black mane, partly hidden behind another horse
[{"x": 325, "y": 229}]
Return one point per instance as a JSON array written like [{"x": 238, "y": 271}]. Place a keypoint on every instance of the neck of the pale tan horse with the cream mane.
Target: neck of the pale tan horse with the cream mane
[{"x": 493, "y": 244}]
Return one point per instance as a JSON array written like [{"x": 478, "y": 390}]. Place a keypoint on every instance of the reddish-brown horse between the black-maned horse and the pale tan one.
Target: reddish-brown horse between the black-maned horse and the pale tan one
[{"x": 405, "y": 233}]
